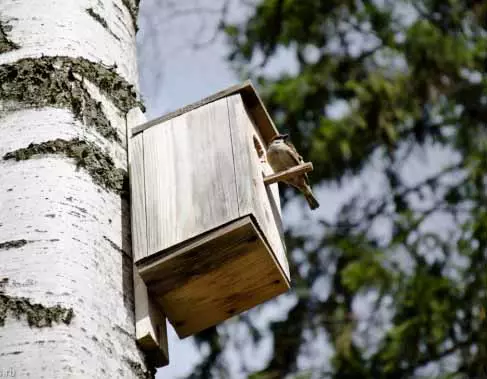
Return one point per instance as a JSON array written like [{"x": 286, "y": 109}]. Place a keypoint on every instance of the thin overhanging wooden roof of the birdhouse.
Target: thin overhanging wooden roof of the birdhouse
[{"x": 250, "y": 97}]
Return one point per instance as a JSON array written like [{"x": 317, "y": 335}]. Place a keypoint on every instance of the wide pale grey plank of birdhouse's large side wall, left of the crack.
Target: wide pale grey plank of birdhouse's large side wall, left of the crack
[{"x": 190, "y": 178}]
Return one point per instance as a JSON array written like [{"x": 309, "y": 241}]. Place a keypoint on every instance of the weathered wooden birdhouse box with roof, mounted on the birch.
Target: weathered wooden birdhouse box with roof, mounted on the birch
[{"x": 207, "y": 235}]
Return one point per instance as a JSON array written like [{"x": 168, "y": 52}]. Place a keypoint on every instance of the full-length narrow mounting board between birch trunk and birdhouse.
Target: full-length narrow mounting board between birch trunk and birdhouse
[{"x": 150, "y": 322}]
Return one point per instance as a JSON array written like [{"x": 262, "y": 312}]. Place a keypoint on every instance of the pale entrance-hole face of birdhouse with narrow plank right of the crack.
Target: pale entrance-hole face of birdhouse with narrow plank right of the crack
[{"x": 253, "y": 197}]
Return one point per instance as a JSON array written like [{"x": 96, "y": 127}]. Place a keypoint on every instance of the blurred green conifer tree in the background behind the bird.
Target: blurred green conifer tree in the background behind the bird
[{"x": 408, "y": 78}]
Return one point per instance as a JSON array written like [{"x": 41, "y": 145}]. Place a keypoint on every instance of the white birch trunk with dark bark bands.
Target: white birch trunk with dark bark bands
[{"x": 67, "y": 79}]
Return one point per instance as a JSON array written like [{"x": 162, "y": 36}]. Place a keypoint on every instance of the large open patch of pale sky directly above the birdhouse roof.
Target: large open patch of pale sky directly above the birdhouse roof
[{"x": 174, "y": 73}]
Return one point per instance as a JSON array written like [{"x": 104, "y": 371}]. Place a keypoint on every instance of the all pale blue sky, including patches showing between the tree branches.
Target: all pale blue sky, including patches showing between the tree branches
[{"x": 175, "y": 71}]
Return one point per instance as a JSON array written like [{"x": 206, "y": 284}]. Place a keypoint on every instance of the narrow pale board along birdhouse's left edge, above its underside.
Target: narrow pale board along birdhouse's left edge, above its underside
[{"x": 137, "y": 187}]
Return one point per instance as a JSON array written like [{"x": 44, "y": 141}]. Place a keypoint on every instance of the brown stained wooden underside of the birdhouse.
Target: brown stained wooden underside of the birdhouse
[{"x": 228, "y": 271}]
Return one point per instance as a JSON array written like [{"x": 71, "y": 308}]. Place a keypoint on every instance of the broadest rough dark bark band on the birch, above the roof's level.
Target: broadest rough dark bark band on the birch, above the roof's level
[{"x": 51, "y": 81}]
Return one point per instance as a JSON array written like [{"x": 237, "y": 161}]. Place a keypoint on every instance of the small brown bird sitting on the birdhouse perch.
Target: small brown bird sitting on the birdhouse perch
[{"x": 282, "y": 155}]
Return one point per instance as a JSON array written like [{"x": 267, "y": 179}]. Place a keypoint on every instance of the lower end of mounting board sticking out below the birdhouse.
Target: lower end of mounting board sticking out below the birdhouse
[{"x": 150, "y": 324}]
